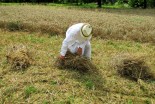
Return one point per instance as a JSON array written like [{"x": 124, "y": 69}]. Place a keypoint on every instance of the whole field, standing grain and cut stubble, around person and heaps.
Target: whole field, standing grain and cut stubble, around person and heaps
[{"x": 117, "y": 33}]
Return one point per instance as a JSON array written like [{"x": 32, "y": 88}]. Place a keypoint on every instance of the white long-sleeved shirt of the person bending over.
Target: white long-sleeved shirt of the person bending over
[{"x": 72, "y": 36}]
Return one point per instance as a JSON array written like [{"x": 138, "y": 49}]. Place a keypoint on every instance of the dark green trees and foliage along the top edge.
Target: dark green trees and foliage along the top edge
[{"x": 98, "y": 3}]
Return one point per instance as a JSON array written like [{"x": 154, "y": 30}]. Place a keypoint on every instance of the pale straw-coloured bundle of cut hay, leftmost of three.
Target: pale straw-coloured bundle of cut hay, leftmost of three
[{"x": 18, "y": 56}]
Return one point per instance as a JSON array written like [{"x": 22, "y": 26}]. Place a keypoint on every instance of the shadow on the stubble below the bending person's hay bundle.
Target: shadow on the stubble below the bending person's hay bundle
[{"x": 92, "y": 79}]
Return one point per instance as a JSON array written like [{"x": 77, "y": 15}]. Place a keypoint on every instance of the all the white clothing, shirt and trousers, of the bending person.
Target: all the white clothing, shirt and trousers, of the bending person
[{"x": 74, "y": 40}]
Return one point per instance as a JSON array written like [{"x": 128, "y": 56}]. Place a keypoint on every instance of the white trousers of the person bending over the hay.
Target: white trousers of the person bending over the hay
[{"x": 86, "y": 49}]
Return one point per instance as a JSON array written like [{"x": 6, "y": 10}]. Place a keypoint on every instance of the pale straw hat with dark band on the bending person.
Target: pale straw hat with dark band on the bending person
[{"x": 86, "y": 31}]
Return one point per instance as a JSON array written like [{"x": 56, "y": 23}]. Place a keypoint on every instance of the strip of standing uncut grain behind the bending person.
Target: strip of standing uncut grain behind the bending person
[{"x": 107, "y": 23}]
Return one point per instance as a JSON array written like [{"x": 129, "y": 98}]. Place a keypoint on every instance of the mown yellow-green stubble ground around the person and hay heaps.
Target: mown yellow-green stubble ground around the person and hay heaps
[{"x": 104, "y": 85}]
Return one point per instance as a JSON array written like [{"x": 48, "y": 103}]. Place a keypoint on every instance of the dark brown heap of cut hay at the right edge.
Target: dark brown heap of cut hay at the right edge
[{"x": 134, "y": 68}]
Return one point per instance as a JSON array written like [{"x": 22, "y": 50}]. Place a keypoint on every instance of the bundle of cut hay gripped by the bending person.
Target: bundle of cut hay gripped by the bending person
[{"x": 74, "y": 61}]
